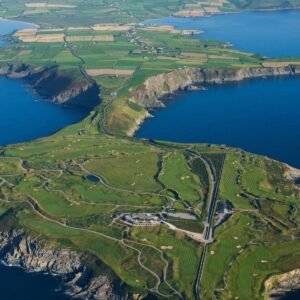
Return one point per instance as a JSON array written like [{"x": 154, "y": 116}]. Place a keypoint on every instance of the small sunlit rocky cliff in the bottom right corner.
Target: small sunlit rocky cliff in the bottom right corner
[{"x": 279, "y": 285}]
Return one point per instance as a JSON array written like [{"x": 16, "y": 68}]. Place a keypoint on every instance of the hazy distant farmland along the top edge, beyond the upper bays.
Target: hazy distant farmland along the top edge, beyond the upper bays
[{"x": 101, "y": 11}]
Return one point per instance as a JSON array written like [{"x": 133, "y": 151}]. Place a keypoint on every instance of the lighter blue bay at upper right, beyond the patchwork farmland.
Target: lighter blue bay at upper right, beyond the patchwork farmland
[{"x": 268, "y": 33}]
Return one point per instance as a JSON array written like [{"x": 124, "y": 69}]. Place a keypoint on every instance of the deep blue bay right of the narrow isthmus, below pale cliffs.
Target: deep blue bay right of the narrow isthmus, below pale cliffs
[{"x": 260, "y": 116}]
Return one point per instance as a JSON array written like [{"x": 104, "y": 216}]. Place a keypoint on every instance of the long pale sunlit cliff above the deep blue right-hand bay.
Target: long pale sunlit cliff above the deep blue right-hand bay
[{"x": 149, "y": 94}]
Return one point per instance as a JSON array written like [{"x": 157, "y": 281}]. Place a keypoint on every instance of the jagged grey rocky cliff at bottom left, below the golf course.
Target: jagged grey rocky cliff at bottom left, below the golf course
[{"x": 31, "y": 253}]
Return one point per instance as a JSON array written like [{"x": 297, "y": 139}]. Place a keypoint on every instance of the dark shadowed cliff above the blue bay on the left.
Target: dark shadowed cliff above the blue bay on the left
[{"x": 55, "y": 86}]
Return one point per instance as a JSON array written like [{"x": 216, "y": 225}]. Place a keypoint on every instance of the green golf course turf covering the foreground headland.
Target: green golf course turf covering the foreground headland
[{"x": 50, "y": 171}]
